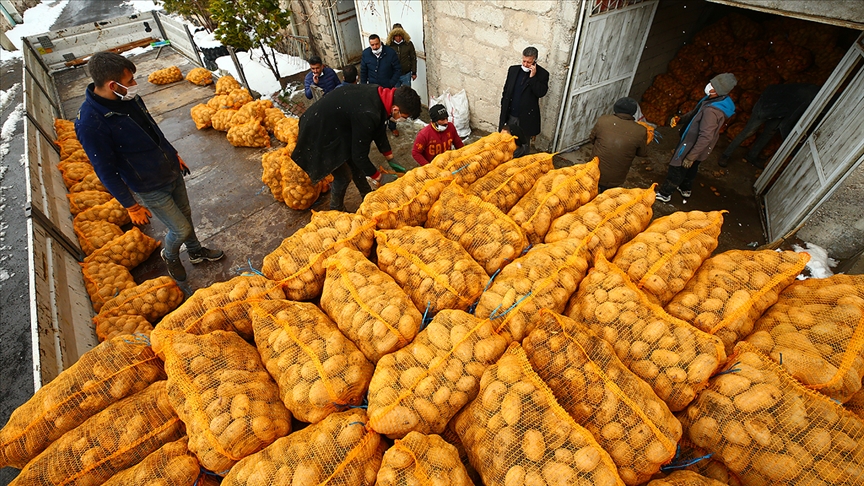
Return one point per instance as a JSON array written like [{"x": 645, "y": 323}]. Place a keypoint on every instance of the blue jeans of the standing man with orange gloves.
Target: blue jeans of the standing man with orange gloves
[{"x": 171, "y": 205}]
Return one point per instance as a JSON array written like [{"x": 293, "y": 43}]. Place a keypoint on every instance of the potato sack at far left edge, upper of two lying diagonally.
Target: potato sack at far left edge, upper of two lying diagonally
[{"x": 104, "y": 375}]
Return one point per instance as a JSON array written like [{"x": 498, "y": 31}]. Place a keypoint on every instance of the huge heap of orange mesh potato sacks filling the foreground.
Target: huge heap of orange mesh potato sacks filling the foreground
[{"x": 392, "y": 347}]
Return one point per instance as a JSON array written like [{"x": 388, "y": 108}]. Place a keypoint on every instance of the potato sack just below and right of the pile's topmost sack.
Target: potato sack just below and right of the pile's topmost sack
[{"x": 505, "y": 185}]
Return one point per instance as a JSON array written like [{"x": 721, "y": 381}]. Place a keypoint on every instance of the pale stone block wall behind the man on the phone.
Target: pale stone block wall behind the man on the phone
[{"x": 470, "y": 45}]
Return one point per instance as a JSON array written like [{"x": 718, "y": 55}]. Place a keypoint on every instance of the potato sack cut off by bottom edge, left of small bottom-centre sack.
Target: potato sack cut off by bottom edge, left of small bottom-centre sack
[{"x": 338, "y": 451}]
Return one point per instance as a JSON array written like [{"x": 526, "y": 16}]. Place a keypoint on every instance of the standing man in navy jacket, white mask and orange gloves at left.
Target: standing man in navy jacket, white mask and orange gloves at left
[{"x": 132, "y": 157}]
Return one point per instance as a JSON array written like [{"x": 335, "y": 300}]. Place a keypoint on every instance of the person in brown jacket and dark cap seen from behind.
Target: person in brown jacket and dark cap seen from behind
[{"x": 617, "y": 140}]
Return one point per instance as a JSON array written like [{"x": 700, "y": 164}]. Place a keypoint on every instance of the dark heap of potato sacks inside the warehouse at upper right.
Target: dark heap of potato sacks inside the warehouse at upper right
[{"x": 780, "y": 50}]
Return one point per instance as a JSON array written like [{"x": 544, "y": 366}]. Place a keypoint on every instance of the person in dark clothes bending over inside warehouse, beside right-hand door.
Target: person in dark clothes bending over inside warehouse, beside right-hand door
[{"x": 779, "y": 108}]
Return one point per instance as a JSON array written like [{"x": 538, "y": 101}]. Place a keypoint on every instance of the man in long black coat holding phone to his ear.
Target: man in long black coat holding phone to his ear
[{"x": 520, "y": 102}]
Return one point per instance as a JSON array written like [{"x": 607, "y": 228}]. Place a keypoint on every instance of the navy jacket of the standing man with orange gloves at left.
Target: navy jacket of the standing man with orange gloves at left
[{"x": 126, "y": 159}]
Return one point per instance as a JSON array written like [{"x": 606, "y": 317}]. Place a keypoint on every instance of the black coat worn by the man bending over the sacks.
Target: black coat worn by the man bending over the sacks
[{"x": 339, "y": 127}]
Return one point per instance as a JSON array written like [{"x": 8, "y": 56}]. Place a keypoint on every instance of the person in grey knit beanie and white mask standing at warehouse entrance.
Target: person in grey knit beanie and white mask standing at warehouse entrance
[{"x": 699, "y": 136}]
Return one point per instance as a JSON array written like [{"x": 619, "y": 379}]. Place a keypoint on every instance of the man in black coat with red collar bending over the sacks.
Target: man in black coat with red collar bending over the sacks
[{"x": 335, "y": 134}]
